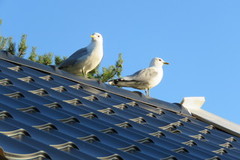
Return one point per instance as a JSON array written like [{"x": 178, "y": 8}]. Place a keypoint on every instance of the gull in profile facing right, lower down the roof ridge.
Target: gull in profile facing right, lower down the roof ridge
[{"x": 144, "y": 79}]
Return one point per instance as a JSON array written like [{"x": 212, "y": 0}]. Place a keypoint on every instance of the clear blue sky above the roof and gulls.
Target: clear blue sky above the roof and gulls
[{"x": 200, "y": 40}]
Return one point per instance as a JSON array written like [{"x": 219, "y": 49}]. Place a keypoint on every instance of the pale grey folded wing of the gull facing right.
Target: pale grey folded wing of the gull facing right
[{"x": 143, "y": 75}]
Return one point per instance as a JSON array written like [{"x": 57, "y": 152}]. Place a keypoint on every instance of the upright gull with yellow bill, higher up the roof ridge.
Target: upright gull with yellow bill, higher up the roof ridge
[{"x": 85, "y": 59}]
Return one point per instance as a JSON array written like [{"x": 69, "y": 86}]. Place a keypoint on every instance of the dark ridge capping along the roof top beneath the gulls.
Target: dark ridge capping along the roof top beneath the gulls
[{"x": 4, "y": 55}]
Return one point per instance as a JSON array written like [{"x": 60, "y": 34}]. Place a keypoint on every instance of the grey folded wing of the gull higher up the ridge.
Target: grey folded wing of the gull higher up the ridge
[{"x": 81, "y": 53}]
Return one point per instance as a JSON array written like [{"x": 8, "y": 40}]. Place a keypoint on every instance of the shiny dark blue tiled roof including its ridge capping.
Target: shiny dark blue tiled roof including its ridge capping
[{"x": 47, "y": 114}]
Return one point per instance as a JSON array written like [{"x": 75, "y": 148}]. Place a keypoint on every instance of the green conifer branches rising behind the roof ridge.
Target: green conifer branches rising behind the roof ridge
[{"x": 7, "y": 44}]
